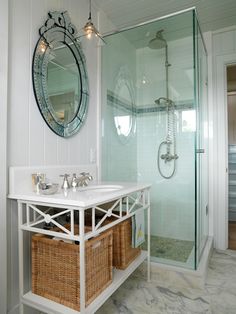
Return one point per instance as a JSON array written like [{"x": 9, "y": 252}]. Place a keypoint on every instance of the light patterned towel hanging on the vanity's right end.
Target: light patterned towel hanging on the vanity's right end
[{"x": 138, "y": 229}]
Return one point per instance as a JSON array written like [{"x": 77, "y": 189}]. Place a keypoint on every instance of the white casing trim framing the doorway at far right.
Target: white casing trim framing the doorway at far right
[{"x": 221, "y": 158}]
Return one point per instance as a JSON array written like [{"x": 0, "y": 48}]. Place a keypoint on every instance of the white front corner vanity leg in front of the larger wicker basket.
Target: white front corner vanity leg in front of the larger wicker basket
[{"x": 82, "y": 262}]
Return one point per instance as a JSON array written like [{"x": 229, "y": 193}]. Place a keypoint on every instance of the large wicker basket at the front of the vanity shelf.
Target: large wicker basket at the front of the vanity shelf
[{"x": 56, "y": 268}]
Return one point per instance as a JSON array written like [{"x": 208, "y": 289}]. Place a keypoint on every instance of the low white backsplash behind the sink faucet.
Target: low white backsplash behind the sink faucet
[{"x": 20, "y": 181}]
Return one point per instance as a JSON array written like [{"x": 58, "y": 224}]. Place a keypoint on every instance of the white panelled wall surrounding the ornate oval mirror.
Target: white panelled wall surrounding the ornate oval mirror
[{"x": 30, "y": 141}]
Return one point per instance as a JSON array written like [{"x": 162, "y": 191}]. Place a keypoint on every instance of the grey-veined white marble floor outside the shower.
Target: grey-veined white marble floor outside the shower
[{"x": 137, "y": 296}]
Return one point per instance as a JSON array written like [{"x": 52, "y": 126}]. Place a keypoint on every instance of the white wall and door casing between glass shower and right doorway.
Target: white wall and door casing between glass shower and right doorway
[{"x": 222, "y": 48}]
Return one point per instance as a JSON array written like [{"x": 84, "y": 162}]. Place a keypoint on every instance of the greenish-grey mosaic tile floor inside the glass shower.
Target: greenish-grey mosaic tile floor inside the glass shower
[{"x": 172, "y": 249}]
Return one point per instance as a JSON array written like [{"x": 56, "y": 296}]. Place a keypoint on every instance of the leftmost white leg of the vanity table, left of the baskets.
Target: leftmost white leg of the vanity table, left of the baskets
[{"x": 21, "y": 262}]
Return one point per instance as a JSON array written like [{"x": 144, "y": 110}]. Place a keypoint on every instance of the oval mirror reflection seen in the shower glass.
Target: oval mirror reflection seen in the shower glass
[{"x": 124, "y": 105}]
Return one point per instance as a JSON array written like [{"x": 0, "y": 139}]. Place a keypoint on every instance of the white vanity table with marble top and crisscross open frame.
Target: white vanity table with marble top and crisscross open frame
[{"x": 129, "y": 198}]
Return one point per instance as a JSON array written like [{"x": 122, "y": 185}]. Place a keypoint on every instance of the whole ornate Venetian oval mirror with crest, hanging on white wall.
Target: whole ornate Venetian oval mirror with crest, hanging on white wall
[{"x": 60, "y": 77}]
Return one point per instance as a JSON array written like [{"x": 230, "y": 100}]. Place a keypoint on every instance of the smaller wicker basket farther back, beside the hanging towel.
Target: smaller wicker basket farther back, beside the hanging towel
[{"x": 123, "y": 252}]
